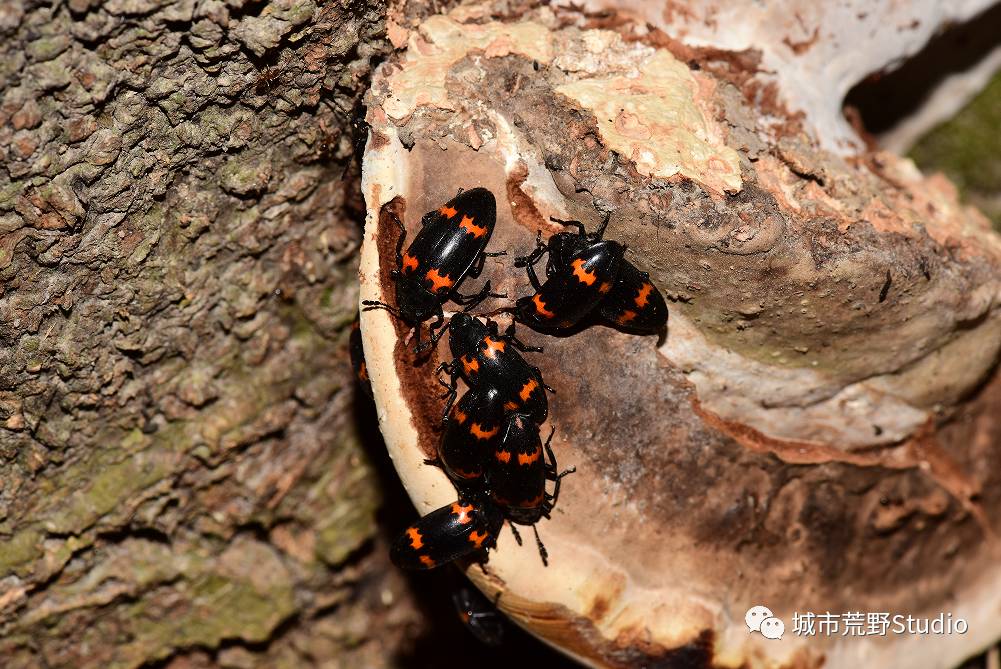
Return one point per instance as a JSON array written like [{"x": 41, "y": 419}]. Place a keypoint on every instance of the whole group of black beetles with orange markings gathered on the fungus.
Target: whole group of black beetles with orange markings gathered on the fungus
[{"x": 492, "y": 446}]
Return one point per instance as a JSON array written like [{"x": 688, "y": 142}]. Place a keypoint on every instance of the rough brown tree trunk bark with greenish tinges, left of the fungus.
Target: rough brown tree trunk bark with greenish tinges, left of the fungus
[{"x": 188, "y": 479}]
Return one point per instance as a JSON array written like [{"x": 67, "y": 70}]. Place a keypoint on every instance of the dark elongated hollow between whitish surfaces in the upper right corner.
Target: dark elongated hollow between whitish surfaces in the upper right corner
[{"x": 886, "y": 98}]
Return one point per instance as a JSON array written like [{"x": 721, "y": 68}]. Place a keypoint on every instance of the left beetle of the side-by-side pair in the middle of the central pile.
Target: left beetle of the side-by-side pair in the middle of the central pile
[{"x": 472, "y": 429}]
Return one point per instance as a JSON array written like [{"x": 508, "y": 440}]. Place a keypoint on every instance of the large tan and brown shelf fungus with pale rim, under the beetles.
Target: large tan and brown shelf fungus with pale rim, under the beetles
[{"x": 818, "y": 431}]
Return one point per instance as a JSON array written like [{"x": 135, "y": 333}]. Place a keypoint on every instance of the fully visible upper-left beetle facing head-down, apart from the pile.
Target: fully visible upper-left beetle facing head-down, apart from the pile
[{"x": 450, "y": 247}]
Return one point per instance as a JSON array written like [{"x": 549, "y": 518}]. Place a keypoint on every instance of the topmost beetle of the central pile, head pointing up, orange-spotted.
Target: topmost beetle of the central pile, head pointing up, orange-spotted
[{"x": 486, "y": 359}]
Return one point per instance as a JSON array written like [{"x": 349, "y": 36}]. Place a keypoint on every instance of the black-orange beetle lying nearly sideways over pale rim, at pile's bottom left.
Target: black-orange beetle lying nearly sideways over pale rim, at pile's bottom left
[{"x": 469, "y": 525}]
